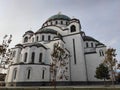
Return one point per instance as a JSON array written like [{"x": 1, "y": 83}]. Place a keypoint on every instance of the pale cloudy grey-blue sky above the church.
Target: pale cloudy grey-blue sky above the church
[{"x": 99, "y": 18}]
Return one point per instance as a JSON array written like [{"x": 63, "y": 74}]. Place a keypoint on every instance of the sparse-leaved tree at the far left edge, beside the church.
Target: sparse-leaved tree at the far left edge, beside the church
[{"x": 5, "y": 53}]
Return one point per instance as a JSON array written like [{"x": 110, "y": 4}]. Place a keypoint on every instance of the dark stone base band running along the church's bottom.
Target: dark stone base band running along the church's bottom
[{"x": 59, "y": 83}]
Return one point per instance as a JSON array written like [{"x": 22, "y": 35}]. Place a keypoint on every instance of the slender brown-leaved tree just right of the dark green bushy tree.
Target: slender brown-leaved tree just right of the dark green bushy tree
[{"x": 111, "y": 61}]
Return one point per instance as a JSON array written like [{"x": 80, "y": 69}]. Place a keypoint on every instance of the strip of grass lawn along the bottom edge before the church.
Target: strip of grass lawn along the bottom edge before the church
[{"x": 63, "y": 88}]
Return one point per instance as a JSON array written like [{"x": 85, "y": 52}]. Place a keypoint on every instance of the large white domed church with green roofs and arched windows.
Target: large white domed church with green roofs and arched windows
[{"x": 32, "y": 57}]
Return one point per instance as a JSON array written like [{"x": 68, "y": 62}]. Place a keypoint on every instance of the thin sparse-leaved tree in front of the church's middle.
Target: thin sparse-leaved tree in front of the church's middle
[{"x": 59, "y": 64}]
